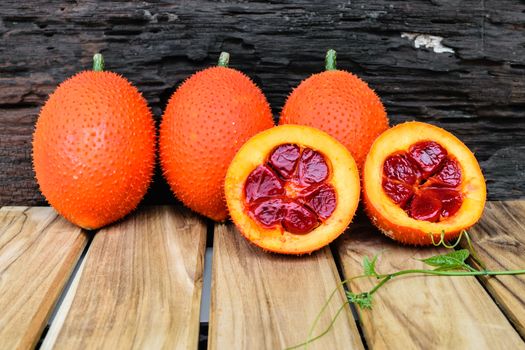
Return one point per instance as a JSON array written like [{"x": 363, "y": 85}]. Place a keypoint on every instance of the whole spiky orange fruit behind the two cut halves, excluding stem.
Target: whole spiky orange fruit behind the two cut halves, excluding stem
[{"x": 340, "y": 104}]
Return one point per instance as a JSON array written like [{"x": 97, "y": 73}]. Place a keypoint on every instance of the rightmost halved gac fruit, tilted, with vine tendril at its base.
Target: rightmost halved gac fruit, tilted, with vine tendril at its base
[{"x": 420, "y": 181}]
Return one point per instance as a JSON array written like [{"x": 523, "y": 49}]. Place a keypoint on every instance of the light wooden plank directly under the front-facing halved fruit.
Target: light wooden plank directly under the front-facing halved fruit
[{"x": 267, "y": 301}]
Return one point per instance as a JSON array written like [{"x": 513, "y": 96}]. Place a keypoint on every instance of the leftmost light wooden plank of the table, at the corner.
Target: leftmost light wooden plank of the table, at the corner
[{"x": 38, "y": 251}]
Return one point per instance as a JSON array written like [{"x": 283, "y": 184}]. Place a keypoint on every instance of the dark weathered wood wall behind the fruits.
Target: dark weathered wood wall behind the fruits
[{"x": 475, "y": 89}]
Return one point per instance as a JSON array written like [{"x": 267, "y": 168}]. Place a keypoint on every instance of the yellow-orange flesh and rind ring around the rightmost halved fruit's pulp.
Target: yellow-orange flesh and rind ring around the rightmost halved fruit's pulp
[{"x": 392, "y": 220}]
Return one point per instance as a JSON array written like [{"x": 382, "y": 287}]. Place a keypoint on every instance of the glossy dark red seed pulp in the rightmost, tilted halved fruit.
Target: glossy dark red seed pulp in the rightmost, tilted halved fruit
[{"x": 424, "y": 181}]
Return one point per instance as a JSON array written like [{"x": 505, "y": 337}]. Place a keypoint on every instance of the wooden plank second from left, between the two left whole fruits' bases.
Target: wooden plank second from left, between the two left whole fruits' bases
[{"x": 140, "y": 286}]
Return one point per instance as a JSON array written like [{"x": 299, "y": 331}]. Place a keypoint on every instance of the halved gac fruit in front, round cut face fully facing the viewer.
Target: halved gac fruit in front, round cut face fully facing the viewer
[{"x": 292, "y": 189}]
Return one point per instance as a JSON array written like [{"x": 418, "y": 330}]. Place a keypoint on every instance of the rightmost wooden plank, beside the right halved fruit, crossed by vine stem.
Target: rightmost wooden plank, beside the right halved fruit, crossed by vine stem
[{"x": 499, "y": 239}]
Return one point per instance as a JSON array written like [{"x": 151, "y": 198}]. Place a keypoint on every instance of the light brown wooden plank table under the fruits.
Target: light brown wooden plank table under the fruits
[{"x": 138, "y": 286}]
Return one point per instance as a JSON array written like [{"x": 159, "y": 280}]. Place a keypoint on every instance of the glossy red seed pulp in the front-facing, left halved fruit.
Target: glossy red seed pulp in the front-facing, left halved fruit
[{"x": 291, "y": 190}]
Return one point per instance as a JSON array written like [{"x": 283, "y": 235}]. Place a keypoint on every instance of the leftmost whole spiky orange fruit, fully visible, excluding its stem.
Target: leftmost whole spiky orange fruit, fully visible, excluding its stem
[{"x": 94, "y": 148}]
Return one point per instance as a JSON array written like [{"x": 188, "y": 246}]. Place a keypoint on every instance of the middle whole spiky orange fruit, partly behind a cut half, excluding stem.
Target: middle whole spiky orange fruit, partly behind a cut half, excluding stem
[{"x": 206, "y": 121}]
